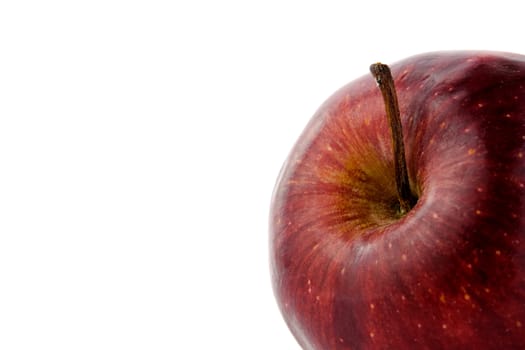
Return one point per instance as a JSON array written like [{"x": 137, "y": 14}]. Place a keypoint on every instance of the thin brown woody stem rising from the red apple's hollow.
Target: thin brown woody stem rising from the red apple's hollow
[{"x": 385, "y": 82}]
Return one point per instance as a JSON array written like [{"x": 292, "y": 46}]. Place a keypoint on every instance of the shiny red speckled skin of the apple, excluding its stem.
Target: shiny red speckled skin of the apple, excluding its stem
[{"x": 348, "y": 272}]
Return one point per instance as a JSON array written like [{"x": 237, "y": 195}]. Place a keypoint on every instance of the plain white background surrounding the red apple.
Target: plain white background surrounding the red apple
[{"x": 140, "y": 142}]
